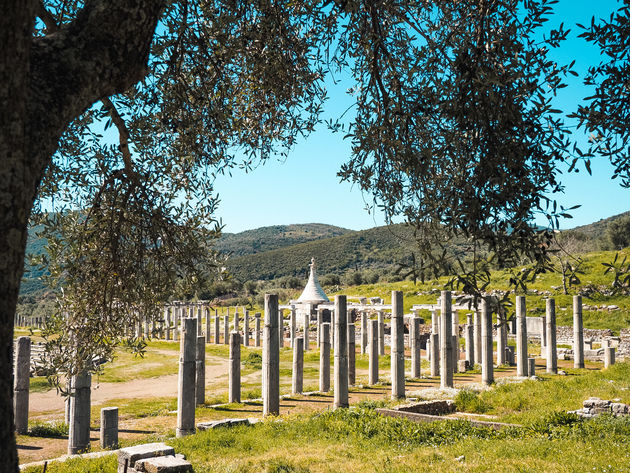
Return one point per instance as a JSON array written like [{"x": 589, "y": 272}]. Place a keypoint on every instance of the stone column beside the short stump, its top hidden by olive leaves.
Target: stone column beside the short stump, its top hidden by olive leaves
[{"x": 80, "y": 403}]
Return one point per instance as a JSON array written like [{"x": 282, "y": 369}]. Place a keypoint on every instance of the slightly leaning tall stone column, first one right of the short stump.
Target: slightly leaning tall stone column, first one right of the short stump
[{"x": 187, "y": 379}]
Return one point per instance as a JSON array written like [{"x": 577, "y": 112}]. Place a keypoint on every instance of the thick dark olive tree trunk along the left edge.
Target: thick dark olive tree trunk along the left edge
[{"x": 45, "y": 83}]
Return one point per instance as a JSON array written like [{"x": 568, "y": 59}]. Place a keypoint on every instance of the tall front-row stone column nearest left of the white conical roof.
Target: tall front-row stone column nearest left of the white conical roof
[{"x": 271, "y": 358}]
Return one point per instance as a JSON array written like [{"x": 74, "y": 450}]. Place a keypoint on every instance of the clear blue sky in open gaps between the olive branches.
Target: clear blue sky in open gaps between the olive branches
[{"x": 305, "y": 188}]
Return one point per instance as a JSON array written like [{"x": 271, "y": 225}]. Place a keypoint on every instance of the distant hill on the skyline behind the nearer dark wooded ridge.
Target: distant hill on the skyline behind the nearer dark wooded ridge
[{"x": 274, "y": 237}]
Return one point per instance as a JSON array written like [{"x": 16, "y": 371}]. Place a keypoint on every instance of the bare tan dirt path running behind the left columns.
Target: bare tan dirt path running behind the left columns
[{"x": 162, "y": 386}]
